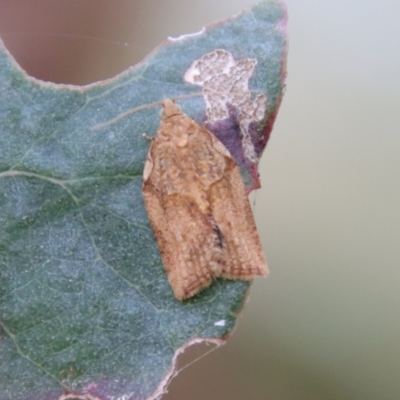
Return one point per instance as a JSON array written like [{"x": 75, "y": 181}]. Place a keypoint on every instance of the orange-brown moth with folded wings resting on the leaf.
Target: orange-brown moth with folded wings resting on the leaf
[{"x": 197, "y": 204}]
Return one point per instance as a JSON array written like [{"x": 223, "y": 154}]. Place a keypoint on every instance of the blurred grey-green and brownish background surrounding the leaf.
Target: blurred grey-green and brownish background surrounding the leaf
[{"x": 326, "y": 322}]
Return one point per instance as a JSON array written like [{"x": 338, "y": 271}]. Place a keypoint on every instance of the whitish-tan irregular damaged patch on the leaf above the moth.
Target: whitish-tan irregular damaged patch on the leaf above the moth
[{"x": 226, "y": 81}]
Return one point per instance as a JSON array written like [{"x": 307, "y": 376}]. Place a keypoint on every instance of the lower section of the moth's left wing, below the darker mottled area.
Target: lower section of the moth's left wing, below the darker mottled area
[{"x": 188, "y": 242}]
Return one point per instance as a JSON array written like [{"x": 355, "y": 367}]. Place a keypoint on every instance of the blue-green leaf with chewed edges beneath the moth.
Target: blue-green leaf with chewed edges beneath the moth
[{"x": 85, "y": 306}]
